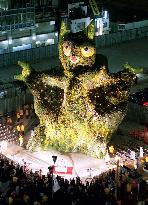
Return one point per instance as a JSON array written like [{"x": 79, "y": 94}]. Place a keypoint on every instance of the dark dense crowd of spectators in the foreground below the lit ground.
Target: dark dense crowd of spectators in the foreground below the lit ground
[{"x": 21, "y": 187}]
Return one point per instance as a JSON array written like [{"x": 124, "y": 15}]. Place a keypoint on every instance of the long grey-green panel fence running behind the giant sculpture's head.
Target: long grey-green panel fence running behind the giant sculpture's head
[{"x": 34, "y": 55}]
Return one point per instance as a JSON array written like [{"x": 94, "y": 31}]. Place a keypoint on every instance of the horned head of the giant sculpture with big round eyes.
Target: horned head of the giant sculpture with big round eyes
[{"x": 76, "y": 49}]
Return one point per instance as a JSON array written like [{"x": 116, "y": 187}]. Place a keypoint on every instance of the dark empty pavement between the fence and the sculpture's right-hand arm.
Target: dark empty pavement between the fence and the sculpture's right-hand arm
[{"x": 135, "y": 52}]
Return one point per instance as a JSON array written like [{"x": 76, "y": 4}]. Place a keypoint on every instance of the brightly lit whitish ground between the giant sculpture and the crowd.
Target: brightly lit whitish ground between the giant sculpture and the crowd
[{"x": 82, "y": 164}]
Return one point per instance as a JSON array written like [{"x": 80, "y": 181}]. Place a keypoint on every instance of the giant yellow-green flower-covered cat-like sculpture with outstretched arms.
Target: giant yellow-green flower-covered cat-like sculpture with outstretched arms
[{"x": 81, "y": 104}]
